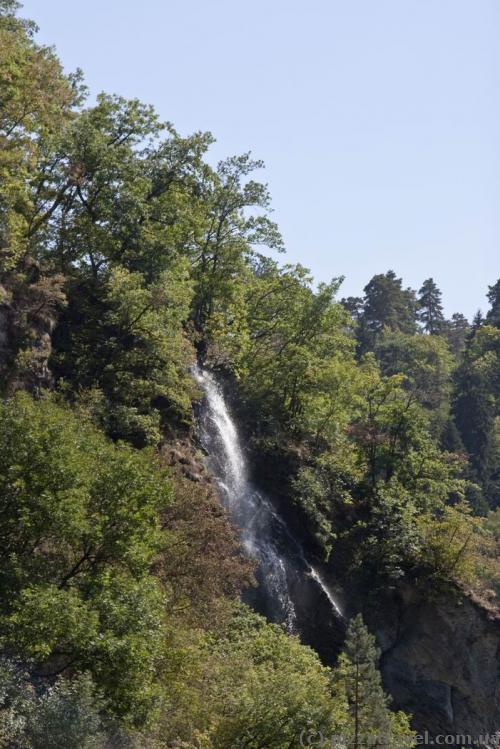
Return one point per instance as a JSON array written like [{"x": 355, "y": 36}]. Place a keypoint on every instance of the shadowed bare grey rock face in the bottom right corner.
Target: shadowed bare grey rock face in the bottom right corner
[{"x": 441, "y": 662}]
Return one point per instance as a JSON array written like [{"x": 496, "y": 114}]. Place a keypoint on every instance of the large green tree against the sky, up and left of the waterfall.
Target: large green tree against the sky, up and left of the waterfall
[{"x": 131, "y": 197}]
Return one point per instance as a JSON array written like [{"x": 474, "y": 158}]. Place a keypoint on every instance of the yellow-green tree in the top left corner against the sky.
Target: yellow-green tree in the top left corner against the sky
[{"x": 36, "y": 103}]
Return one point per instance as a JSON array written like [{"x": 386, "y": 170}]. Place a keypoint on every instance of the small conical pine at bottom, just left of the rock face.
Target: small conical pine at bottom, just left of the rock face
[{"x": 358, "y": 676}]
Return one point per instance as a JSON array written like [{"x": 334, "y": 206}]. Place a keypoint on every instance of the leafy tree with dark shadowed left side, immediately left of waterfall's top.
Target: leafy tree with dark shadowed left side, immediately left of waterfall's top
[{"x": 127, "y": 340}]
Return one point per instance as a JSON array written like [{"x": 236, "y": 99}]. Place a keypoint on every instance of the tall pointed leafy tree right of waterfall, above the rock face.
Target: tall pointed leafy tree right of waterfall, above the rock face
[{"x": 400, "y": 474}]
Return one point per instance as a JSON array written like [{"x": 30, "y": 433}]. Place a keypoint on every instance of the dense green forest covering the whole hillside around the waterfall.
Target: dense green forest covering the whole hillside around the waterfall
[{"x": 124, "y": 255}]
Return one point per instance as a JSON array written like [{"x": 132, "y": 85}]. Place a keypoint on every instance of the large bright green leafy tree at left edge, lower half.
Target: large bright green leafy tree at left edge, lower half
[{"x": 80, "y": 530}]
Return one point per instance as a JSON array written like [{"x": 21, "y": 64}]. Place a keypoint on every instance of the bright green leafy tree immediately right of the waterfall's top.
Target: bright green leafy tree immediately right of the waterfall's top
[{"x": 299, "y": 362}]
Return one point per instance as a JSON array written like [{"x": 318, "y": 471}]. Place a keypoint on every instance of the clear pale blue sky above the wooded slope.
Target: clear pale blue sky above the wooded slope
[{"x": 378, "y": 120}]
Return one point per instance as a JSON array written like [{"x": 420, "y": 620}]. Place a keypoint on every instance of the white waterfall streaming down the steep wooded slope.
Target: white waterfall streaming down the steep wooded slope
[{"x": 282, "y": 568}]
